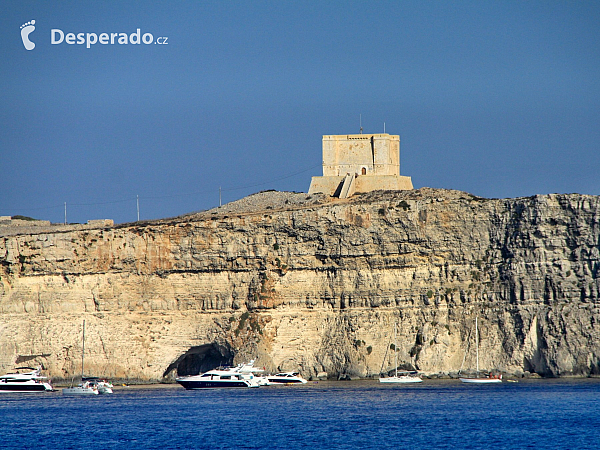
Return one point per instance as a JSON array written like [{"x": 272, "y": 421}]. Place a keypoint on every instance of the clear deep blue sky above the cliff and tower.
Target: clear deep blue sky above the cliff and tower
[{"x": 499, "y": 99}]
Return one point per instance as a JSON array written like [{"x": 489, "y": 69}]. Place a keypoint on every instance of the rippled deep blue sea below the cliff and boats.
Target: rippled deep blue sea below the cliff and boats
[{"x": 435, "y": 414}]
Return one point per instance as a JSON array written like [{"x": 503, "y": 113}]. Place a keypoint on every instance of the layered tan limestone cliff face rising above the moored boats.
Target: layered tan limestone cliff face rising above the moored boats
[{"x": 313, "y": 287}]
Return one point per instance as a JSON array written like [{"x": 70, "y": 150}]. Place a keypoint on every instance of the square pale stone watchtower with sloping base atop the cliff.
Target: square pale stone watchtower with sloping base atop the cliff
[{"x": 355, "y": 163}]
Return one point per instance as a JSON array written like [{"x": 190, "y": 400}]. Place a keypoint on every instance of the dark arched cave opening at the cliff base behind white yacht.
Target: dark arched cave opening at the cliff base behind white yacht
[{"x": 199, "y": 359}]
